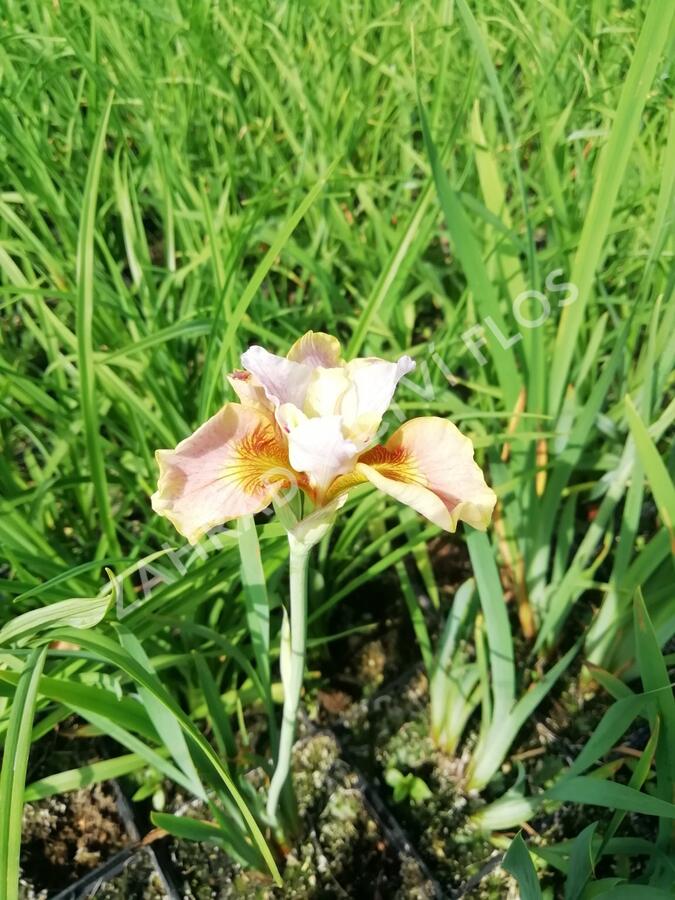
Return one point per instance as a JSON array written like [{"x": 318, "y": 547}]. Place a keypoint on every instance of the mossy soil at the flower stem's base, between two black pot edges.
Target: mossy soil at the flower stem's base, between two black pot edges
[{"x": 345, "y": 852}]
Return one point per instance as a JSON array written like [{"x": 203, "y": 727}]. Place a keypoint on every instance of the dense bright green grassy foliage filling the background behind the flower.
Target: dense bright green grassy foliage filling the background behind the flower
[{"x": 222, "y": 120}]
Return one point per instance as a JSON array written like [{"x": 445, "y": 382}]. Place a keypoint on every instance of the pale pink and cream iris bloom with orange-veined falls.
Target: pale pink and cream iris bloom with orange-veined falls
[{"x": 310, "y": 421}]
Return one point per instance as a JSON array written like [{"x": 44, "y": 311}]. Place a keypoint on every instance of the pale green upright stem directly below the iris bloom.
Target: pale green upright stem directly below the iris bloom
[{"x": 293, "y": 678}]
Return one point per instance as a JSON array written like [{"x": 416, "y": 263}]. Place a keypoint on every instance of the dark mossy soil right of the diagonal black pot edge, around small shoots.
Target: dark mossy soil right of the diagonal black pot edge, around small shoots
[{"x": 375, "y": 698}]
